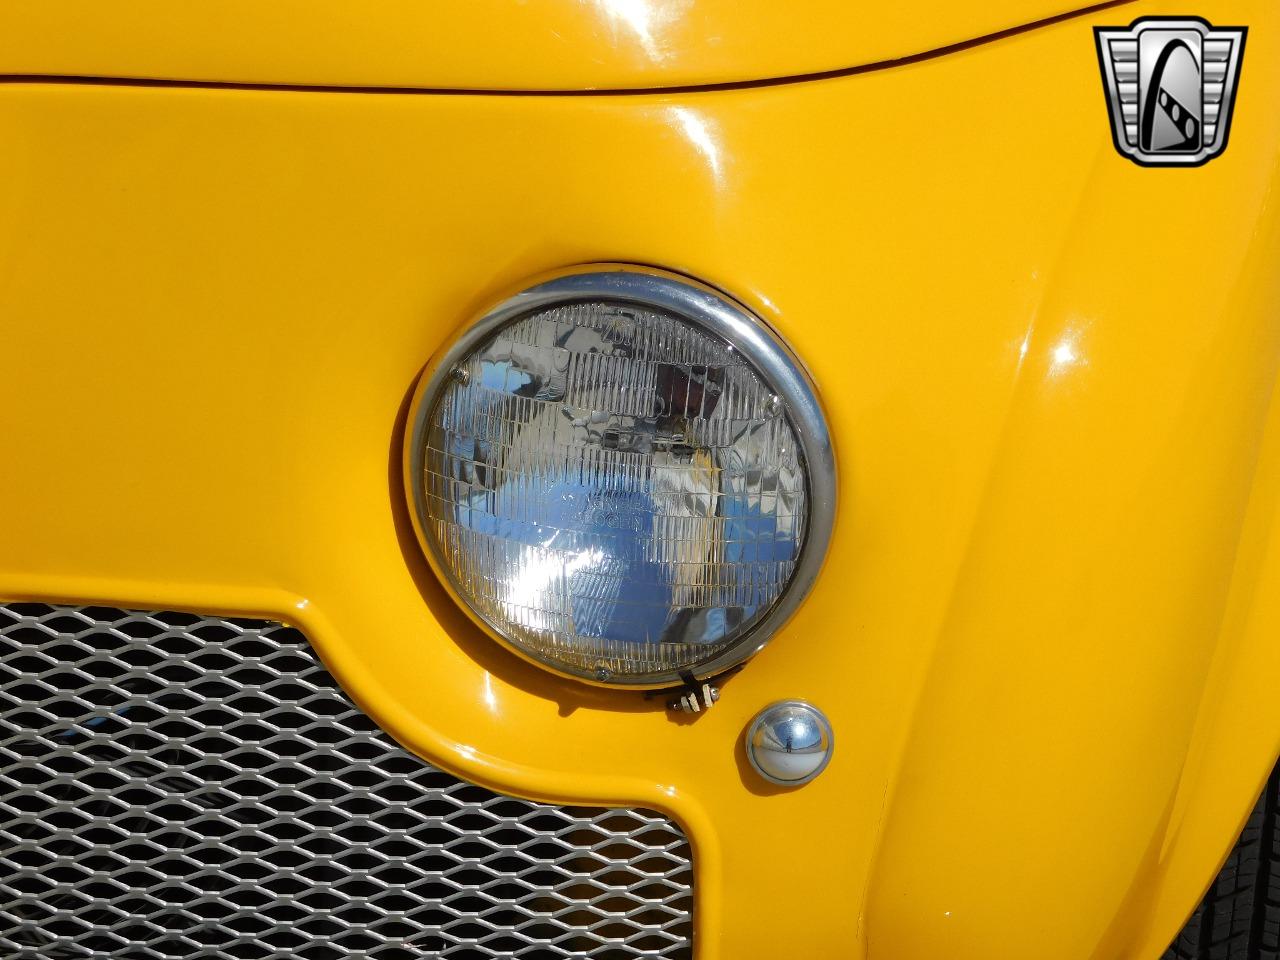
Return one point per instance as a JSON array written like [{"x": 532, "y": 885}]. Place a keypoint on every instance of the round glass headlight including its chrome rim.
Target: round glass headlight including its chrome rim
[{"x": 624, "y": 476}]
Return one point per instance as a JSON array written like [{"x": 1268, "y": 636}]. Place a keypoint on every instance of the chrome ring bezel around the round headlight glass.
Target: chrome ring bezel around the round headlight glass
[{"x": 717, "y": 316}]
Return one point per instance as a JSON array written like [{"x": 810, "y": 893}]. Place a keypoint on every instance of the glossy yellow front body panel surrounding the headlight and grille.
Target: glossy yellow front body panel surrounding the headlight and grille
[{"x": 1046, "y": 629}]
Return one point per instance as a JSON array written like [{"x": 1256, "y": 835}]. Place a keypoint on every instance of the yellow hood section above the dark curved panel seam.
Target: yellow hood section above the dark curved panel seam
[{"x": 484, "y": 44}]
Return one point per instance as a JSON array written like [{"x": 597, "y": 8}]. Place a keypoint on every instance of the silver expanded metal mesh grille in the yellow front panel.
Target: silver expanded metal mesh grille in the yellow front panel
[{"x": 181, "y": 787}]
